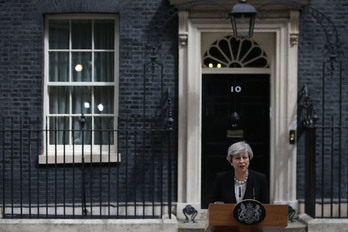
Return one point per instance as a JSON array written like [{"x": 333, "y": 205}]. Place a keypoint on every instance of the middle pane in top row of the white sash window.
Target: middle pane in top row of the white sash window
[{"x": 81, "y": 34}]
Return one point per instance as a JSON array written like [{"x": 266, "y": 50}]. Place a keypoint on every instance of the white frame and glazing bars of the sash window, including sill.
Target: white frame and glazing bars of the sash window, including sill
[{"x": 73, "y": 153}]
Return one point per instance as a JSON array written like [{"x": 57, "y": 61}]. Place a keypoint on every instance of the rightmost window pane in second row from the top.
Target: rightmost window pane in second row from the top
[{"x": 104, "y": 66}]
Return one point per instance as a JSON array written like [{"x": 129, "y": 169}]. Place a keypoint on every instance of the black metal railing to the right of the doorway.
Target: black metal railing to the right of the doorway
[{"x": 326, "y": 159}]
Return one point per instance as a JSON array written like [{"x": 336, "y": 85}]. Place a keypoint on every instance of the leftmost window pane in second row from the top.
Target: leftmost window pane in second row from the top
[{"x": 59, "y": 66}]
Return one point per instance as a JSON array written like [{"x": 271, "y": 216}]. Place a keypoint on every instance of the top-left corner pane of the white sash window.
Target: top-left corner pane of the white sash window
[{"x": 58, "y": 34}]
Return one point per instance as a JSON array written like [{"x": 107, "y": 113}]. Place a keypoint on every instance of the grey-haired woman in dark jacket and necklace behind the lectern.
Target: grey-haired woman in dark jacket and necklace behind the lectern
[{"x": 240, "y": 183}]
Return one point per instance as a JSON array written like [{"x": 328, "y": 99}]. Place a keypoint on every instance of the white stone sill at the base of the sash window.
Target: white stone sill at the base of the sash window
[{"x": 69, "y": 158}]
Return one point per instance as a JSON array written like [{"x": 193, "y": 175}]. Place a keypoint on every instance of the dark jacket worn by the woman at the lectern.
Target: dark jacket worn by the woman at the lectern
[{"x": 257, "y": 187}]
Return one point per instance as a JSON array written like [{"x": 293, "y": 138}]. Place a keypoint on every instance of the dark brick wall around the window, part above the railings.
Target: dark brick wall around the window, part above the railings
[{"x": 21, "y": 61}]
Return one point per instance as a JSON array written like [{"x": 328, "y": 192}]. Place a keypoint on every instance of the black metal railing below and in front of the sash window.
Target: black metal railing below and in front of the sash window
[{"x": 129, "y": 177}]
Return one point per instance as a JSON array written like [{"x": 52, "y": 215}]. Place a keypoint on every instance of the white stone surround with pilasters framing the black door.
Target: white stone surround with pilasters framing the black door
[{"x": 283, "y": 73}]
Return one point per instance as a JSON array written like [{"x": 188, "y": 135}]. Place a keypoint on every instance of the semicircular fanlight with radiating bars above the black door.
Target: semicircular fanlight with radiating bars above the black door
[{"x": 230, "y": 52}]
